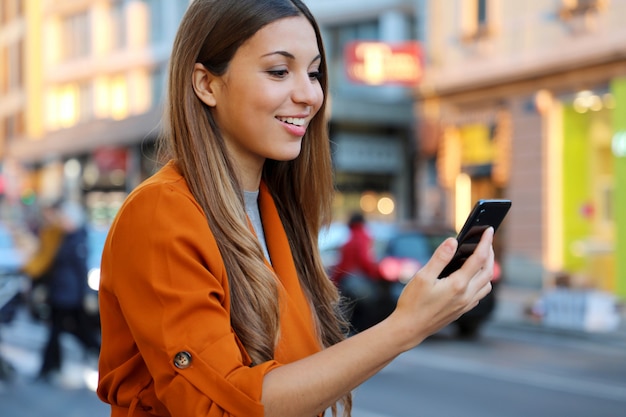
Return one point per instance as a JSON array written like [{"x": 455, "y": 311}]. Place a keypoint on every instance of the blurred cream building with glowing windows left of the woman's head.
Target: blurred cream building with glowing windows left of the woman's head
[{"x": 89, "y": 77}]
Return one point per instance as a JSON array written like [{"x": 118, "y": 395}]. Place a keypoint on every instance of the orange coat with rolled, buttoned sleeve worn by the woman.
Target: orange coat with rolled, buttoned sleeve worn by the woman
[{"x": 168, "y": 348}]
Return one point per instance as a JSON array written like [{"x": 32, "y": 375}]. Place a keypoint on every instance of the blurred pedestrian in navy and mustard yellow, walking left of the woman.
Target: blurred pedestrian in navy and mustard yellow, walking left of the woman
[{"x": 60, "y": 264}]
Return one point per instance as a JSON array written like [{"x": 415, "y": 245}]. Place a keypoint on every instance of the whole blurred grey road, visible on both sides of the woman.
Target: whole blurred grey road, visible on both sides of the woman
[{"x": 507, "y": 372}]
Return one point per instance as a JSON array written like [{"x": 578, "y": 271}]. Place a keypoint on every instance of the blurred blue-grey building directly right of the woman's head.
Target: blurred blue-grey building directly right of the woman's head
[{"x": 372, "y": 118}]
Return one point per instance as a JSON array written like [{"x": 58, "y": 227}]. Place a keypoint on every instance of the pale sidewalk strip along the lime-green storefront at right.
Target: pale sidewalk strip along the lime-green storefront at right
[{"x": 511, "y": 312}]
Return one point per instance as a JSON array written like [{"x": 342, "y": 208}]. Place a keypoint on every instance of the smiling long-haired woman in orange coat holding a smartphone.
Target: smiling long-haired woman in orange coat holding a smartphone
[{"x": 213, "y": 297}]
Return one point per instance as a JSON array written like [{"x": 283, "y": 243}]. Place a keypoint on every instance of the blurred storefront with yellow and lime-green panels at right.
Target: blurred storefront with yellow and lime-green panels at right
[{"x": 560, "y": 154}]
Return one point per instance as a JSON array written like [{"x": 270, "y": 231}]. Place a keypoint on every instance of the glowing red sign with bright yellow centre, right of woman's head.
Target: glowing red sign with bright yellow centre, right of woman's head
[{"x": 380, "y": 63}]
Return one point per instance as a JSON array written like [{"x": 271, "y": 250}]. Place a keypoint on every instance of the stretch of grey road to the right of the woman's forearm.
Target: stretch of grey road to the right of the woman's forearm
[{"x": 507, "y": 372}]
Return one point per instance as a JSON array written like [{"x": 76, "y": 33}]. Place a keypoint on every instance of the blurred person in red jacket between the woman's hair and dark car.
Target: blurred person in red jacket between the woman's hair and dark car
[{"x": 357, "y": 276}]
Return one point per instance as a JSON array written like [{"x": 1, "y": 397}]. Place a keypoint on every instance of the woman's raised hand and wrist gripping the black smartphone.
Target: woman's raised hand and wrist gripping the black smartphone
[{"x": 428, "y": 304}]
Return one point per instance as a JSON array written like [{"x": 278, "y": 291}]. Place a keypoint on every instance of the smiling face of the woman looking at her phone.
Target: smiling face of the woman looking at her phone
[{"x": 269, "y": 94}]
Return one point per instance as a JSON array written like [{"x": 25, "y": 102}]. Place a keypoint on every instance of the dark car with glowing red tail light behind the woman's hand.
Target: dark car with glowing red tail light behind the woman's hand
[{"x": 408, "y": 250}]
